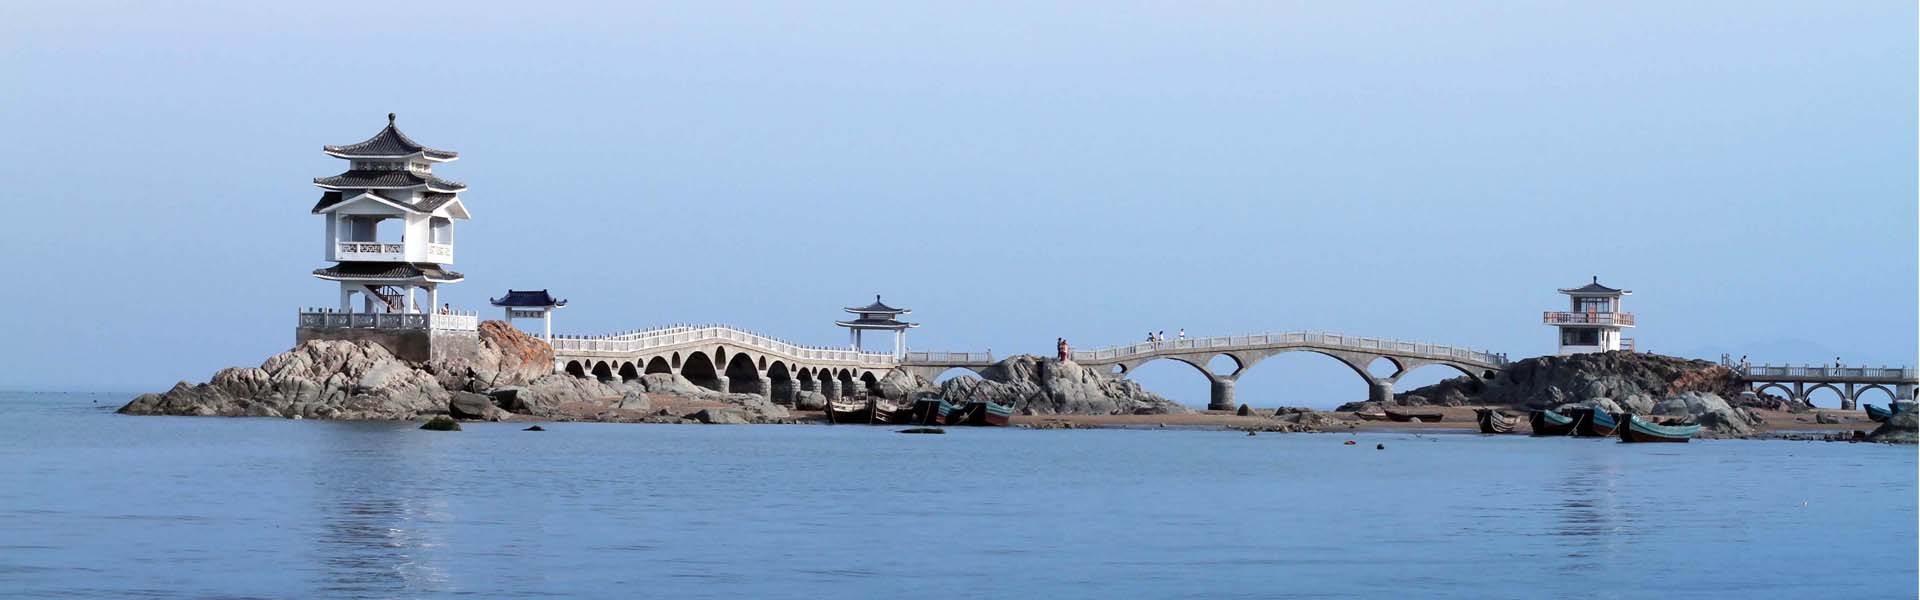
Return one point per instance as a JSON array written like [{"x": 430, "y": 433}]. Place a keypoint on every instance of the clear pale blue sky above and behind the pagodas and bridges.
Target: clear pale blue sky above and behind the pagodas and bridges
[{"x": 1011, "y": 172}]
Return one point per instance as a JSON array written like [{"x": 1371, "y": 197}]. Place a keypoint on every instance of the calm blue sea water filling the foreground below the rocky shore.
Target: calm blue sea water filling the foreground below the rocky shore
[{"x": 101, "y": 505}]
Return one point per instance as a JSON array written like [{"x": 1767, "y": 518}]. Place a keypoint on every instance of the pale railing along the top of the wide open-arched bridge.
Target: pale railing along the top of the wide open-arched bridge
[{"x": 1318, "y": 339}]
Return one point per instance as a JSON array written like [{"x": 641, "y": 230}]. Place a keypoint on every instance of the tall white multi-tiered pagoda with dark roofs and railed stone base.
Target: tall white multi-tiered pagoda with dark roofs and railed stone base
[{"x": 391, "y": 239}]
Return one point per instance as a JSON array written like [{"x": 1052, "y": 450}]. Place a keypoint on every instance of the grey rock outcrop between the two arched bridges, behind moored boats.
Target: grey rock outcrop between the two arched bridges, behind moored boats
[{"x": 1051, "y": 387}]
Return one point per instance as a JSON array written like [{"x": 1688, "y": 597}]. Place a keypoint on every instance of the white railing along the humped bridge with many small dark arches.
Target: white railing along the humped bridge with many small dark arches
[{"x": 642, "y": 341}]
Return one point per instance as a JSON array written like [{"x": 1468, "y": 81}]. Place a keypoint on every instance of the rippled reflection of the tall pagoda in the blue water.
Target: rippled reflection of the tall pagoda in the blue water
[{"x": 375, "y": 501}]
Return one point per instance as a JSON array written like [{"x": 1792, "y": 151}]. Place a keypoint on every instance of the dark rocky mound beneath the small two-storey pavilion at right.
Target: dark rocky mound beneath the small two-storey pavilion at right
[{"x": 1614, "y": 382}]
